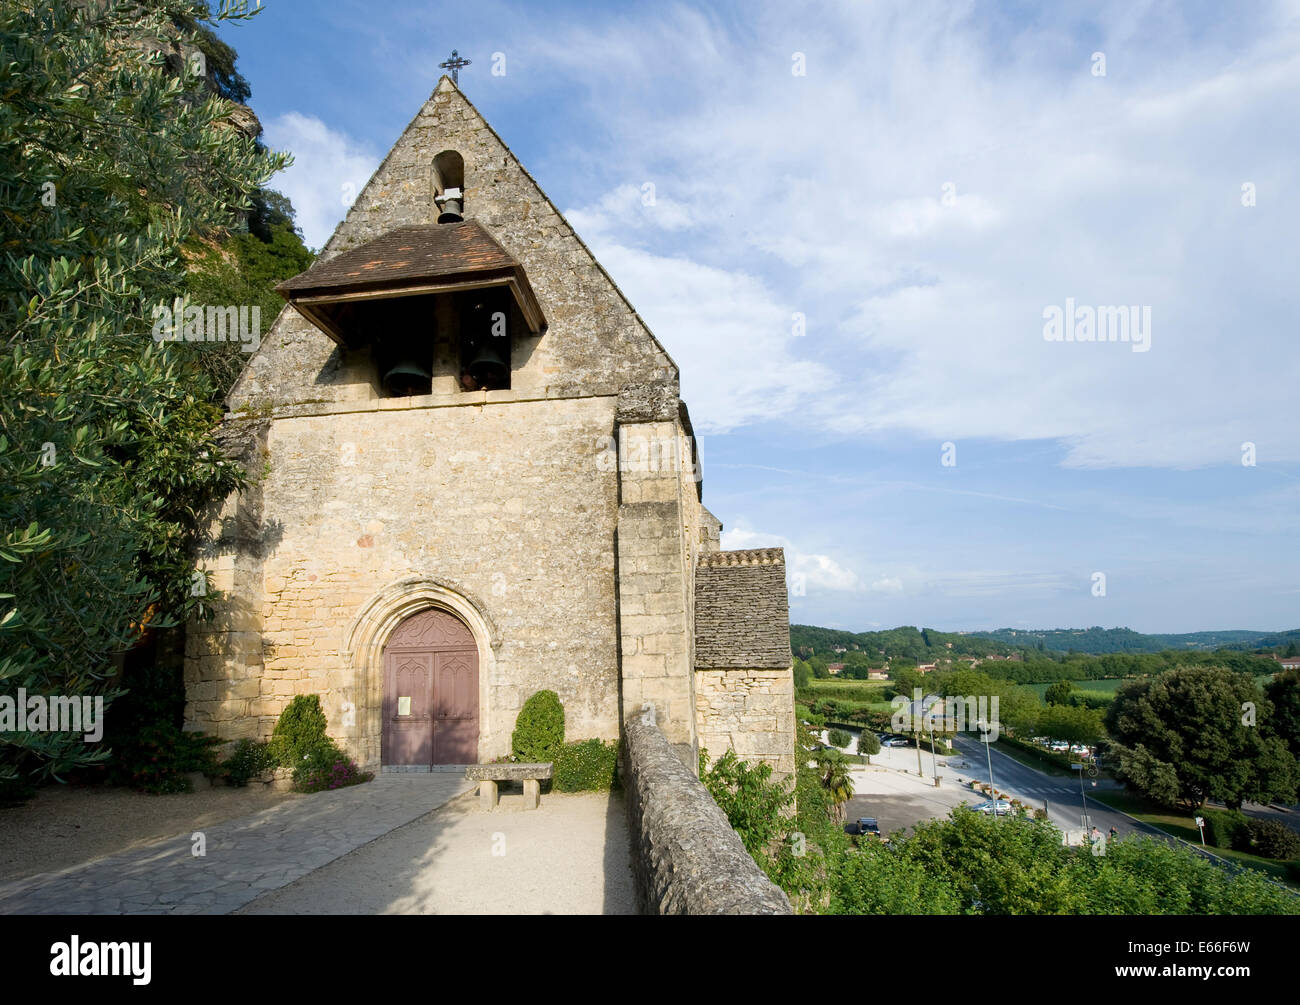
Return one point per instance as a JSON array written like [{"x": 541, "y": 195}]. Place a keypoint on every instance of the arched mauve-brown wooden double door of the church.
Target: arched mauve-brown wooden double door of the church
[{"x": 431, "y": 692}]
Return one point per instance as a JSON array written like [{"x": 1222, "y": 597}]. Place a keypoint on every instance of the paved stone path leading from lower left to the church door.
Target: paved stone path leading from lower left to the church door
[{"x": 246, "y": 857}]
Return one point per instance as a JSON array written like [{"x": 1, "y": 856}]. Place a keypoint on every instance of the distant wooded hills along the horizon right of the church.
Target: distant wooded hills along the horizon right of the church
[{"x": 924, "y": 644}]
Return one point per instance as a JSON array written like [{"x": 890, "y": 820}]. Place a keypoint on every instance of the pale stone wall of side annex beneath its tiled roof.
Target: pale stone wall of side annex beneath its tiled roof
[{"x": 751, "y": 712}]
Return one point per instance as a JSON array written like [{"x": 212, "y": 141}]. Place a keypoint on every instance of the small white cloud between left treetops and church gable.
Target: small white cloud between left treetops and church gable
[{"x": 328, "y": 167}]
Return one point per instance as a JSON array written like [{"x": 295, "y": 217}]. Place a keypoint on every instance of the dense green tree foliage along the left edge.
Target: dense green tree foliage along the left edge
[{"x": 111, "y": 161}]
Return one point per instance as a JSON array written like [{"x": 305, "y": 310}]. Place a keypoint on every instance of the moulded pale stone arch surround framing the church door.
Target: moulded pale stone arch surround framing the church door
[{"x": 366, "y": 639}]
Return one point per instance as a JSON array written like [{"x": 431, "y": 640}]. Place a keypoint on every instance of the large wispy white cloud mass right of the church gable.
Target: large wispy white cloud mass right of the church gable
[{"x": 826, "y": 196}]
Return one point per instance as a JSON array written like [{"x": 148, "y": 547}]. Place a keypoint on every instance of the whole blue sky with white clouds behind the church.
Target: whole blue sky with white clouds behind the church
[{"x": 934, "y": 183}]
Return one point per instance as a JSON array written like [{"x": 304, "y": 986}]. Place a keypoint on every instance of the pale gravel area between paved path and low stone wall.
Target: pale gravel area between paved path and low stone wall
[{"x": 571, "y": 856}]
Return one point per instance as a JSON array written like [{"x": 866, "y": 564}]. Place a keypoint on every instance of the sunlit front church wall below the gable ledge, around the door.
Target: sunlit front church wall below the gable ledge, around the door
[{"x": 506, "y": 505}]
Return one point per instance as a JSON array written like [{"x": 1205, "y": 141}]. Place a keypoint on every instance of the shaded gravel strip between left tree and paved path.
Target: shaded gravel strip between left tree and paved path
[{"x": 66, "y": 826}]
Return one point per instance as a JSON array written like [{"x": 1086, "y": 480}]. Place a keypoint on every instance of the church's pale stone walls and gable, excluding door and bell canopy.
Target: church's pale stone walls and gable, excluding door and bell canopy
[{"x": 561, "y": 518}]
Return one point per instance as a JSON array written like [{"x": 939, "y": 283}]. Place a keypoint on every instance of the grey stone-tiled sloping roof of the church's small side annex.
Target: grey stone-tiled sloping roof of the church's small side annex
[{"x": 743, "y": 618}]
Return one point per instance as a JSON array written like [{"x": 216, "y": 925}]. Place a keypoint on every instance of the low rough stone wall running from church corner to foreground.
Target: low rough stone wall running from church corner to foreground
[{"x": 687, "y": 857}]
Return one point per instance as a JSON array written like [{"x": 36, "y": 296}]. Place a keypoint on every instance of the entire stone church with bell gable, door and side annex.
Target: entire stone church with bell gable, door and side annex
[{"x": 474, "y": 479}]
